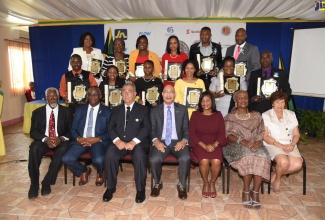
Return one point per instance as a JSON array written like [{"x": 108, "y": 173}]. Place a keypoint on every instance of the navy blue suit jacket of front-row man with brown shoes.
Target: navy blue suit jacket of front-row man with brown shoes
[{"x": 101, "y": 128}]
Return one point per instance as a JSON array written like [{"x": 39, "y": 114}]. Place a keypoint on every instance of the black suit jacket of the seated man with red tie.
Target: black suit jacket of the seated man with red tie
[{"x": 38, "y": 126}]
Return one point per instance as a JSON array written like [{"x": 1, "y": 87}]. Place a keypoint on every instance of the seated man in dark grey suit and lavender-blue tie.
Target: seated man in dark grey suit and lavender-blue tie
[{"x": 169, "y": 135}]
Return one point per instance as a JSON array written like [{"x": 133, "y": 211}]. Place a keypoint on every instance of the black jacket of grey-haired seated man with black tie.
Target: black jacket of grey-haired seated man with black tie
[{"x": 138, "y": 124}]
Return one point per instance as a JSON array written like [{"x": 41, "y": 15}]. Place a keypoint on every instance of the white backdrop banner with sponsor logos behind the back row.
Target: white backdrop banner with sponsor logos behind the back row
[{"x": 158, "y": 33}]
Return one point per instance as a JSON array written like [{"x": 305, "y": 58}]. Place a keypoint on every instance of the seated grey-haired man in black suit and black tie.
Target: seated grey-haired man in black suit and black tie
[{"x": 129, "y": 128}]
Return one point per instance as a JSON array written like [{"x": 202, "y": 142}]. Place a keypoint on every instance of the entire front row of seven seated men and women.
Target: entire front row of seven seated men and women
[{"x": 246, "y": 140}]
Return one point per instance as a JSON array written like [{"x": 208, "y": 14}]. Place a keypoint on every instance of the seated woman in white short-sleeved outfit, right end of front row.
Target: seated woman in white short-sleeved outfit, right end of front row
[{"x": 281, "y": 138}]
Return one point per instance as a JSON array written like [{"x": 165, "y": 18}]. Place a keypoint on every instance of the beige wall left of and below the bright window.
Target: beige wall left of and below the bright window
[{"x": 13, "y": 106}]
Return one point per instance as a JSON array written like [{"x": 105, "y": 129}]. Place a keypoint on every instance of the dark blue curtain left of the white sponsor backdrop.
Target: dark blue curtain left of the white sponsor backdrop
[{"x": 51, "y": 50}]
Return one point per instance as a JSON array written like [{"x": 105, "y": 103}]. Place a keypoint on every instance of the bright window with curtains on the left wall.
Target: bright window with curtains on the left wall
[{"x": 20, "y": 62}]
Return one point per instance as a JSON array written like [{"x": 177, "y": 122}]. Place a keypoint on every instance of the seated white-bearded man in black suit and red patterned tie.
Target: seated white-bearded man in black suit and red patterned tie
[{"x": 50, "y": 130}]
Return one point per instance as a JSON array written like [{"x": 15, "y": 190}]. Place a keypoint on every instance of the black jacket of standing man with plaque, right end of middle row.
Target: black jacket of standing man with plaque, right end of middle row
[{"x": 282, "y": 83}]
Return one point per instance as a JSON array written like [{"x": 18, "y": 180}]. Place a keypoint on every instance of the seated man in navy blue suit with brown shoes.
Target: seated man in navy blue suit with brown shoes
[{"x": 89, "y": 133}]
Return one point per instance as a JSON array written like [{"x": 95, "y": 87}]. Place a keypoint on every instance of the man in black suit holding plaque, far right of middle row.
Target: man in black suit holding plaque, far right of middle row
[{"x": 262, "y": 103}]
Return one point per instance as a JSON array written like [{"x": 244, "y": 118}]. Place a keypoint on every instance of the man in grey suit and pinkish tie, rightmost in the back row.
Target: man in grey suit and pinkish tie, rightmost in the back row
[{"x": 244, "y": 52}]
